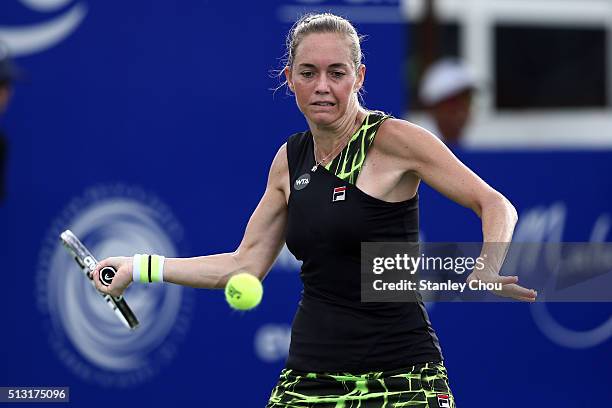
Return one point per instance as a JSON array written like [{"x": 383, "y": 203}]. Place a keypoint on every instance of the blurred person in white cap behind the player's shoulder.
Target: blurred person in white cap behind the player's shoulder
[{"x": 446, "y": 92}]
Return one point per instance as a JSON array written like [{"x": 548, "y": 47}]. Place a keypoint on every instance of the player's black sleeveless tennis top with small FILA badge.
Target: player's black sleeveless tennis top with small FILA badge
[{"x": 328, "y": 218}]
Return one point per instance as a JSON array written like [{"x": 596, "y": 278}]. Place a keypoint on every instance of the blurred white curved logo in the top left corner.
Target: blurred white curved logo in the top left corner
[{"x": 30, "y": 39}]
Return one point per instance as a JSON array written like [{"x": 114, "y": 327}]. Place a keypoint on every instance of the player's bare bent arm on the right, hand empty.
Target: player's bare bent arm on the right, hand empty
[{"x": 421, "y": 153}]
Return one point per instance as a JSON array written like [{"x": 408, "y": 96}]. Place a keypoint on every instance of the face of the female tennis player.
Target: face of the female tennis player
[{"x": 323, "y": 77}]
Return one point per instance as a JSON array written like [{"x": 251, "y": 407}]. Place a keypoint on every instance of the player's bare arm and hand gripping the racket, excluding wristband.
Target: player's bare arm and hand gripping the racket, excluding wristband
[{"x": 263, "y": 239}]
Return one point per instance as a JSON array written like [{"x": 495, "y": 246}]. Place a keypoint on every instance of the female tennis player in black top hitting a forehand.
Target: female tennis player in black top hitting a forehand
[{"x": 351, "y": 178}]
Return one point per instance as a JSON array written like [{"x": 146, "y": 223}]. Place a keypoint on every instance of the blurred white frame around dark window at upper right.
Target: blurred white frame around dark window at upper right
[{"x": 563, "y": 128}]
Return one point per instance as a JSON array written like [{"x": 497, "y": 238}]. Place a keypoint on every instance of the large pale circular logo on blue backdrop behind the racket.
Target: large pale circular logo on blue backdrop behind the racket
[{"x": 85, "y": 335}]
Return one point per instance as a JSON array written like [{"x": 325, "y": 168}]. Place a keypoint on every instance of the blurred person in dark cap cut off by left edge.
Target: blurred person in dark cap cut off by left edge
[{"x": 8, "y": 74}]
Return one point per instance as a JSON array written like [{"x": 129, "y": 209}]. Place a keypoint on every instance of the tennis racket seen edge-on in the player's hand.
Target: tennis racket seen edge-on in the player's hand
[{"x": 88, "y": 263}]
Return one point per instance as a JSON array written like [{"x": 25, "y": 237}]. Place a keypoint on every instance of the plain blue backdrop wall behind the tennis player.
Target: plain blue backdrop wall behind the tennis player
[{"x": 159, "y": 115}]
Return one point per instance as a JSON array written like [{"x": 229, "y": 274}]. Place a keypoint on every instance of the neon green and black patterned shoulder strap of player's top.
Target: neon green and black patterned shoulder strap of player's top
[{"x": 347, "y": 165}]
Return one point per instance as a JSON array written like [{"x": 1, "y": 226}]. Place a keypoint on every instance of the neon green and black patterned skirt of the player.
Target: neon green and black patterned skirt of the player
[{"x": 420, "y": 386}]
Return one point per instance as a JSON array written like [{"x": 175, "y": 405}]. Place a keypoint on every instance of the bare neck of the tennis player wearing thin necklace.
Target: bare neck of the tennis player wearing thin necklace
[{"x": 329, "y": 137}]
